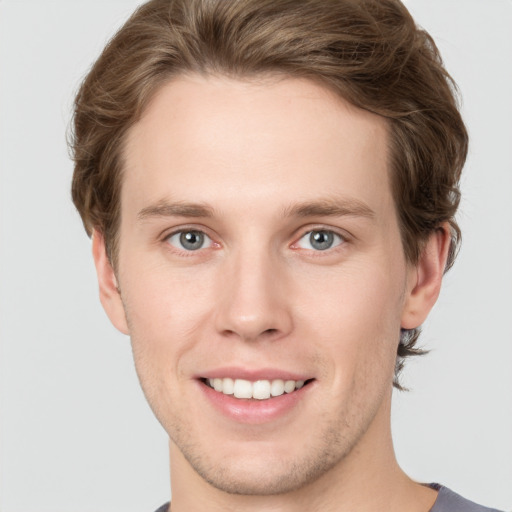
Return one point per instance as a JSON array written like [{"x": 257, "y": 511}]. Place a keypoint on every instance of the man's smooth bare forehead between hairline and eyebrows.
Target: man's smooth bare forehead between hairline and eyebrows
[{"x": 215, "y": 139}]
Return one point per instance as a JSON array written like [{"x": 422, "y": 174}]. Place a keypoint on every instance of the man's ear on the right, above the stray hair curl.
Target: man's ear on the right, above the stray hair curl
[{"x": 424, "y": 280}]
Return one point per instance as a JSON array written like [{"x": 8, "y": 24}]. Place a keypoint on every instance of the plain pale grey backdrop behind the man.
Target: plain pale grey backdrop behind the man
[{"x": 75, "y": 432}]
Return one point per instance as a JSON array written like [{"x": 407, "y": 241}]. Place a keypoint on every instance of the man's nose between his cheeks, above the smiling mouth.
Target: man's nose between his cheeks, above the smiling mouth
[{"x": 253, "y": 303}]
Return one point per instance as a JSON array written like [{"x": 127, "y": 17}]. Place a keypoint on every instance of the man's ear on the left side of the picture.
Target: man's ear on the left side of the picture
[{"x": 110, "y": 295}]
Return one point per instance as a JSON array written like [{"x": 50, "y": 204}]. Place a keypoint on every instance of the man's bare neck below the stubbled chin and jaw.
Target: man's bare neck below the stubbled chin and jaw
[{"x": 368, "y": 479}]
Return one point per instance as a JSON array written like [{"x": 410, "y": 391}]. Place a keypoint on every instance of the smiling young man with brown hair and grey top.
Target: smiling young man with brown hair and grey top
[{"x": 271, "y": 190}]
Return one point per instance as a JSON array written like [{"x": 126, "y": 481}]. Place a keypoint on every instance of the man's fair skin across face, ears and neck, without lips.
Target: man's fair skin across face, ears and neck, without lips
[{"x": 257, "y": 295}]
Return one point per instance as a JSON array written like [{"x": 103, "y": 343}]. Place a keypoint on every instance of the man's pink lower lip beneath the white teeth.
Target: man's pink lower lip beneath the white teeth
[{"x": 254, "y": 412}]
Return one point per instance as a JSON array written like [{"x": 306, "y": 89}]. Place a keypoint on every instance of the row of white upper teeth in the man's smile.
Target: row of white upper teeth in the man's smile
[{"x": 260, "y": 389}]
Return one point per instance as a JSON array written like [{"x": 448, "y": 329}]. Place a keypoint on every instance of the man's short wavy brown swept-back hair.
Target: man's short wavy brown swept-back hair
[{"x": 369, "y": 51}]
